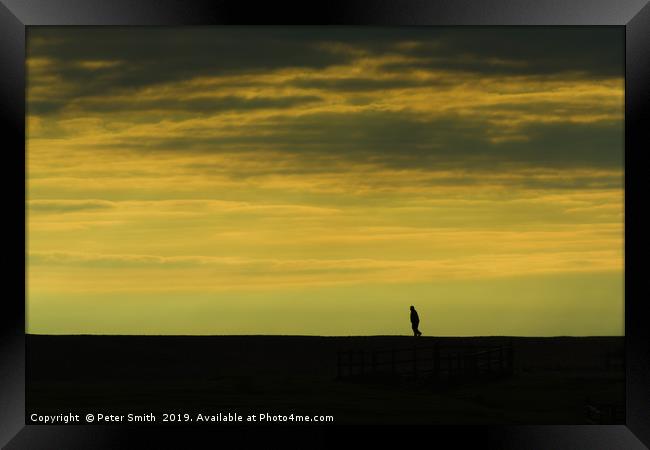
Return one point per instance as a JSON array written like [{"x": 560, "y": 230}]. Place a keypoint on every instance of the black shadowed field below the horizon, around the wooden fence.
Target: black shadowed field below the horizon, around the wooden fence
[{"x": 553, "y": 379}]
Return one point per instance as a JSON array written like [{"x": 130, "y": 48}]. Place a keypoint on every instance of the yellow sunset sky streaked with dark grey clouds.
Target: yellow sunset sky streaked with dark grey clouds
[{"x": 319, "y": 181}]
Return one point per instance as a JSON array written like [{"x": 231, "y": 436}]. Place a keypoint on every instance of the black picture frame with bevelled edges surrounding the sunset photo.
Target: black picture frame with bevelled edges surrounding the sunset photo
[{"x": 16, "y": 15}]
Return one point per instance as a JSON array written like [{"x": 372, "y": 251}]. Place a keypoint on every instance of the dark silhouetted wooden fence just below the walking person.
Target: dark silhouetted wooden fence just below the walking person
[{"x": 437, "y": 362}]
